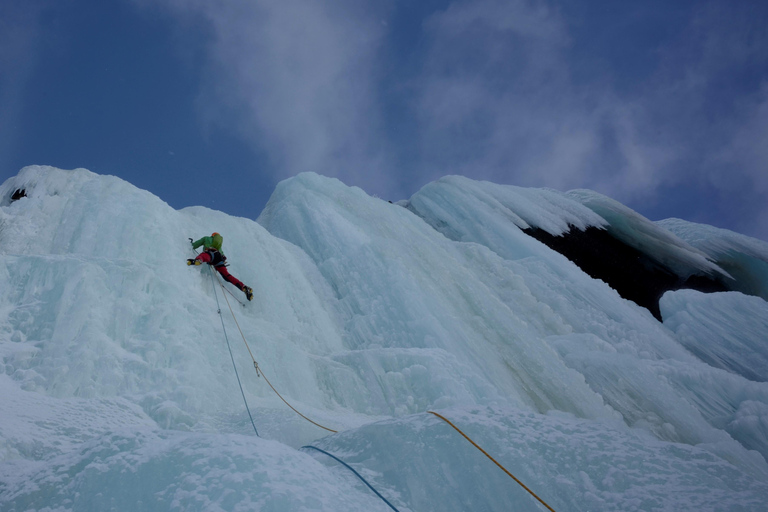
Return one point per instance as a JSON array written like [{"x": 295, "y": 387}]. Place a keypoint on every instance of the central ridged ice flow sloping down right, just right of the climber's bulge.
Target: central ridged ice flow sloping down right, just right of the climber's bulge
[{"x": 427, "y": 322}]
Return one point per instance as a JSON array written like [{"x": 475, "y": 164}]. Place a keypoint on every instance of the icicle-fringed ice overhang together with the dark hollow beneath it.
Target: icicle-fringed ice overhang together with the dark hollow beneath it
[{"x": 607, "y": 240}]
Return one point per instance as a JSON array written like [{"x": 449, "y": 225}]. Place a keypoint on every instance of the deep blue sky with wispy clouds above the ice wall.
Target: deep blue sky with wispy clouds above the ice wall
[{"x": 660, "y": 105}]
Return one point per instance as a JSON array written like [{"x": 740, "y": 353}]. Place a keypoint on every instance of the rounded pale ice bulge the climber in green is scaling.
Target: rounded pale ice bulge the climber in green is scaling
[{"x": 98, "y": 300}]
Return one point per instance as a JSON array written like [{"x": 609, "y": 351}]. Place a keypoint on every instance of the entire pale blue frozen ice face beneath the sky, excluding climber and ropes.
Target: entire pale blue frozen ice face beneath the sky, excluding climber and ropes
[{"x": 117, "y": 390}]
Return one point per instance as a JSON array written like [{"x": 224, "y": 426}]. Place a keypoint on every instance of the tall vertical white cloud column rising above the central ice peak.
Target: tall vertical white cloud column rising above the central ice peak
[{"x": 296, "y": 78}]
